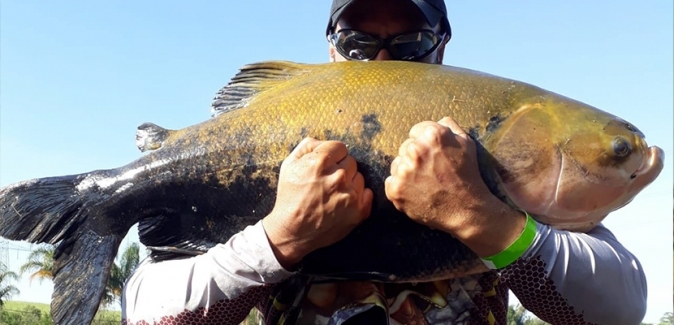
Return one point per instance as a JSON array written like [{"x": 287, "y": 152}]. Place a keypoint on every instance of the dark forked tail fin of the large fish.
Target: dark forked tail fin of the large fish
[{"x": 54, "y": 210}]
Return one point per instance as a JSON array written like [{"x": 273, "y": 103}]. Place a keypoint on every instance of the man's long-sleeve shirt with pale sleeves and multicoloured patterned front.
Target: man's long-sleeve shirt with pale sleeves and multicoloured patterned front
[{"x": 563, "y": 278}]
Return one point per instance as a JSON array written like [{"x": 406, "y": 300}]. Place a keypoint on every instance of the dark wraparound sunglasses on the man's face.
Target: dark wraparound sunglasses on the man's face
[{"x": 410, "y": 46}]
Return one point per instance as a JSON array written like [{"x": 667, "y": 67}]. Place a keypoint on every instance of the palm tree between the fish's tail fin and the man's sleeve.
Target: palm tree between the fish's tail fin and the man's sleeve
[{"x": 119, "y": 273}]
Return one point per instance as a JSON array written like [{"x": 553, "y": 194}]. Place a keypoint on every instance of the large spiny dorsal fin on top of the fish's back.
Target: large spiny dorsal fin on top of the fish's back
[{"x": 251, "y": 80}]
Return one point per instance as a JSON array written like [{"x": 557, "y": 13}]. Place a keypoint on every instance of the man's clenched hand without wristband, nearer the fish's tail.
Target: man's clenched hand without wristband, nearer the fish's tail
[{"x": 321, "y": 197}]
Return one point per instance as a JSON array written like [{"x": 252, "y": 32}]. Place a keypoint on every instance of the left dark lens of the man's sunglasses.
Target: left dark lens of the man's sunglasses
[{"x": 355, "y": 45}]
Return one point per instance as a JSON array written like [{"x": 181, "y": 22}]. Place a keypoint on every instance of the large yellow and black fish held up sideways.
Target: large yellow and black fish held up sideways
[{"x": 564, "y": 162}]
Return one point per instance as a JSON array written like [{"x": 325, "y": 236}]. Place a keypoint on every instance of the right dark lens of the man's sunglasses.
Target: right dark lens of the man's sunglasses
[{"x": 413, "y": 46}]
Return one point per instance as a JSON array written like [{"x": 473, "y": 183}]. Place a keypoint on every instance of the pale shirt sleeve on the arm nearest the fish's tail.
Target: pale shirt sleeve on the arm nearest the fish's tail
[{"x": 220, "y": 286}]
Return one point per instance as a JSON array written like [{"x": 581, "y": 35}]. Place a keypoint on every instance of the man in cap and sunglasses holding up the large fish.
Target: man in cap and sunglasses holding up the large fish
[{"x": 563, "y": 277}]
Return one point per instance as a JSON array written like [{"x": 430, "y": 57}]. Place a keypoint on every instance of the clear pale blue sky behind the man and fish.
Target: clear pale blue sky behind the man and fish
[{"x": 78, "y": 77}]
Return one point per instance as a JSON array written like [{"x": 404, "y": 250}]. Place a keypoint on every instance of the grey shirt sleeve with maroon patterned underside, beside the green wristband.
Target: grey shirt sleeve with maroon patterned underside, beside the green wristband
[{"x": 577, "y": 278}]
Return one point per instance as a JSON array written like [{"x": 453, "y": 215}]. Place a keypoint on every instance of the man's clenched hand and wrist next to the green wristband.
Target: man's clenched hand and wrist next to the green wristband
[{"x": 435, "y": 180}]
